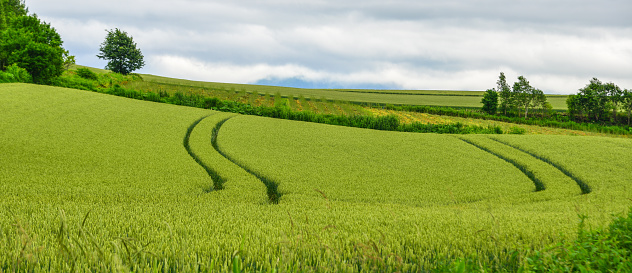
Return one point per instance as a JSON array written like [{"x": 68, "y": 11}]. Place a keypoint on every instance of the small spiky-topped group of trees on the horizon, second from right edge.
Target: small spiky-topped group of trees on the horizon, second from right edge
[{"x": 514, "y": 101}]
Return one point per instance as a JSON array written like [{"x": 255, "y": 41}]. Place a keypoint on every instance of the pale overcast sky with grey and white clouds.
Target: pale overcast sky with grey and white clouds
[{"x": 558, "y": 45}]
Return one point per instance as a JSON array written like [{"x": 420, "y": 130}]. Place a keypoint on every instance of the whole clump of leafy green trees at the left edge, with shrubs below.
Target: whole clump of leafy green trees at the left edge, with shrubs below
[{"x": 28, "y": 43}]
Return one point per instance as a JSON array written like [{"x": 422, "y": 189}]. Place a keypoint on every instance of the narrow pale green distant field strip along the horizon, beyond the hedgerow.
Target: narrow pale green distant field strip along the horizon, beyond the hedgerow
[{"x": 468, "y": 99}]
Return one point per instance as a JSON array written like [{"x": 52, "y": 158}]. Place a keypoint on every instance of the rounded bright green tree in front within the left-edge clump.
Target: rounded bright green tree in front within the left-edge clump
[{"x": 33, "y": 45}]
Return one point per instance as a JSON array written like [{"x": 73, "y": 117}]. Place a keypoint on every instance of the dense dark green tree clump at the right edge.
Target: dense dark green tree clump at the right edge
[{"x": 599, "y": 102}]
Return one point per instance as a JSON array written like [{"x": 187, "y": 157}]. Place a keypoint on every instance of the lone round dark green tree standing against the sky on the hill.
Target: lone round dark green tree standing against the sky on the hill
[{"x": 121, "y": 52}]
